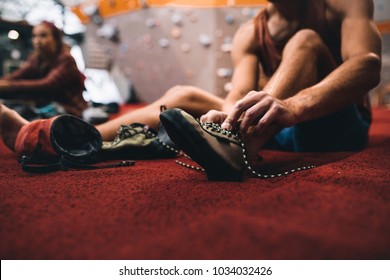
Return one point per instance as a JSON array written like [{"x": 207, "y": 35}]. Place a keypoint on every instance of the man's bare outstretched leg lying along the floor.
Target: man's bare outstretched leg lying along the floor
[{"x": 191, "y": 99}]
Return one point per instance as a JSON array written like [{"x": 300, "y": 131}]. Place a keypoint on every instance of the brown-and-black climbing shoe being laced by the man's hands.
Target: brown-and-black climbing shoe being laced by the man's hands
[{"x": 217, "y": 150}]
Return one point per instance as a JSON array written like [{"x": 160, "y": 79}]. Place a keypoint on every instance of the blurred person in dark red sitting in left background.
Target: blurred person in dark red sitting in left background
[{"x": 49, "y": 82}]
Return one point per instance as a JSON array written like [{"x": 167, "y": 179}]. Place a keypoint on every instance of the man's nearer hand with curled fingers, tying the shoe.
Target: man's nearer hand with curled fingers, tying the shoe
[{"x": 258, "y": 110}]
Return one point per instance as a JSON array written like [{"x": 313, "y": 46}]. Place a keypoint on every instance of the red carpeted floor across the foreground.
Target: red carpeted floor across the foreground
[{"x": 160, "y": 210}]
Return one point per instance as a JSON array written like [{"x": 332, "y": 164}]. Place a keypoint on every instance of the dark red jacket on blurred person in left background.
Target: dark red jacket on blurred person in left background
[{"x": 57, "y": 80}]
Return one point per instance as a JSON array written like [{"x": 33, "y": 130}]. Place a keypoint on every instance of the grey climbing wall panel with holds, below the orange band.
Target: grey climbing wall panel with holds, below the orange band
[{"x": 157, "y": 48}]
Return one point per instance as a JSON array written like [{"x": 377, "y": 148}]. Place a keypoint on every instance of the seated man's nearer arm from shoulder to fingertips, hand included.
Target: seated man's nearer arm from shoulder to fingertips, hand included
[{"x": 347, "y": 84}]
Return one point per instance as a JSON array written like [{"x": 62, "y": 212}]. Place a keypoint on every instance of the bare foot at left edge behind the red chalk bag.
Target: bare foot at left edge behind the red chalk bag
[{"x": 10, "y": 125}]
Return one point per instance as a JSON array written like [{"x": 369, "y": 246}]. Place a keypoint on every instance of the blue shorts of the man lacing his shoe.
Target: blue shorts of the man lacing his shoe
[{"x": 346, "y": 130}]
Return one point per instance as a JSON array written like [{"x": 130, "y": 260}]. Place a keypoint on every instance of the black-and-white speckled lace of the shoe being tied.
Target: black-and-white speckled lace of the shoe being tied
[{"x": 236, "y": 135}]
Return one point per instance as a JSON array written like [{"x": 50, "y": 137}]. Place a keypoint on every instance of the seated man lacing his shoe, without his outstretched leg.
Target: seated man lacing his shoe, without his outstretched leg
[{"x": 323, "y": 57}]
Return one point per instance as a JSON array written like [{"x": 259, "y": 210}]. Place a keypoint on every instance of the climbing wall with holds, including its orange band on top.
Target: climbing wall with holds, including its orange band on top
[{"x": 156, "y": 44}]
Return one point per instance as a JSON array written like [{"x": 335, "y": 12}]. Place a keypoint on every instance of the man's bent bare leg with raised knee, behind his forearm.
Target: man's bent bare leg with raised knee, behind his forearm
[{"x": 306, "y": 60}]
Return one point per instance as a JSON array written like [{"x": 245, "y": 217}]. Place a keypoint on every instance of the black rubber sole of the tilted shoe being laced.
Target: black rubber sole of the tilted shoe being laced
[{"x": 198, "y": 148}]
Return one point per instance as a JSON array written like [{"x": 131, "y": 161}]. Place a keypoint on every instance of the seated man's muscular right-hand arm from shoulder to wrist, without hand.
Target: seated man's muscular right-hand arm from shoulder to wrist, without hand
[{"x": 359, "y": 72}]
